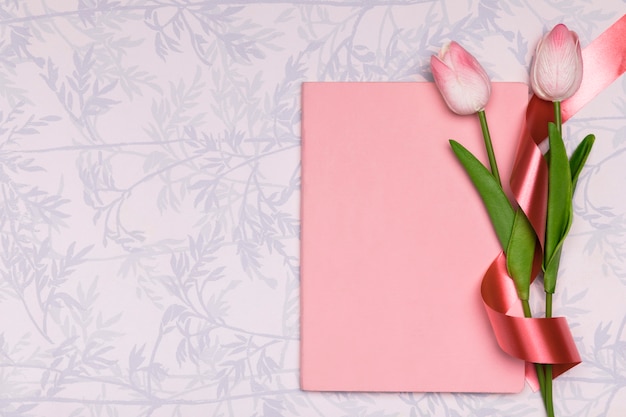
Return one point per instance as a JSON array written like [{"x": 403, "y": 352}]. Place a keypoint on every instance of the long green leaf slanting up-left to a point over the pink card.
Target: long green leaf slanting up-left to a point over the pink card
[{"x": 496, "y": 202}]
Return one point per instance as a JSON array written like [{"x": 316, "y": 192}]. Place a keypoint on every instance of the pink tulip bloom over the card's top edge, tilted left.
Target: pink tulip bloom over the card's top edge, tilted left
[{"x": 462, "y": 81}]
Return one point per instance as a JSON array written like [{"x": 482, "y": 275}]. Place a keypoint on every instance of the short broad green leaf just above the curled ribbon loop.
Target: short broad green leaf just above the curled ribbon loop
[{"x": 520, "y": 254}]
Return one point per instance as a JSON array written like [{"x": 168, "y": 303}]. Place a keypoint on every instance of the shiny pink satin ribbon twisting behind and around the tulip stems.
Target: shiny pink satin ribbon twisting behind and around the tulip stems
[{"x": 546, "y": 340}]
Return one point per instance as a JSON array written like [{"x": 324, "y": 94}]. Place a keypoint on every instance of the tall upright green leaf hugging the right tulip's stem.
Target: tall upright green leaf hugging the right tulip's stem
[{"x": 559, "y": 211}]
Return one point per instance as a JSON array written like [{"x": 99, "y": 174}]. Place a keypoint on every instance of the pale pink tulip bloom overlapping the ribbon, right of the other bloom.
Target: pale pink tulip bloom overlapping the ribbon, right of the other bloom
[{"x": 557, "y": 69}]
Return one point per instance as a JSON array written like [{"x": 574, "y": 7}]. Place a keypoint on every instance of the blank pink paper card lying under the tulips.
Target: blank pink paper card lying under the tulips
[{"x": 395, "y": 240}]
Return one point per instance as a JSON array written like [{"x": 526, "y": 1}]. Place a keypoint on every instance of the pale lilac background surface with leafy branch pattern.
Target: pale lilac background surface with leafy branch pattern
[{"x": 149, "y": 166}]
